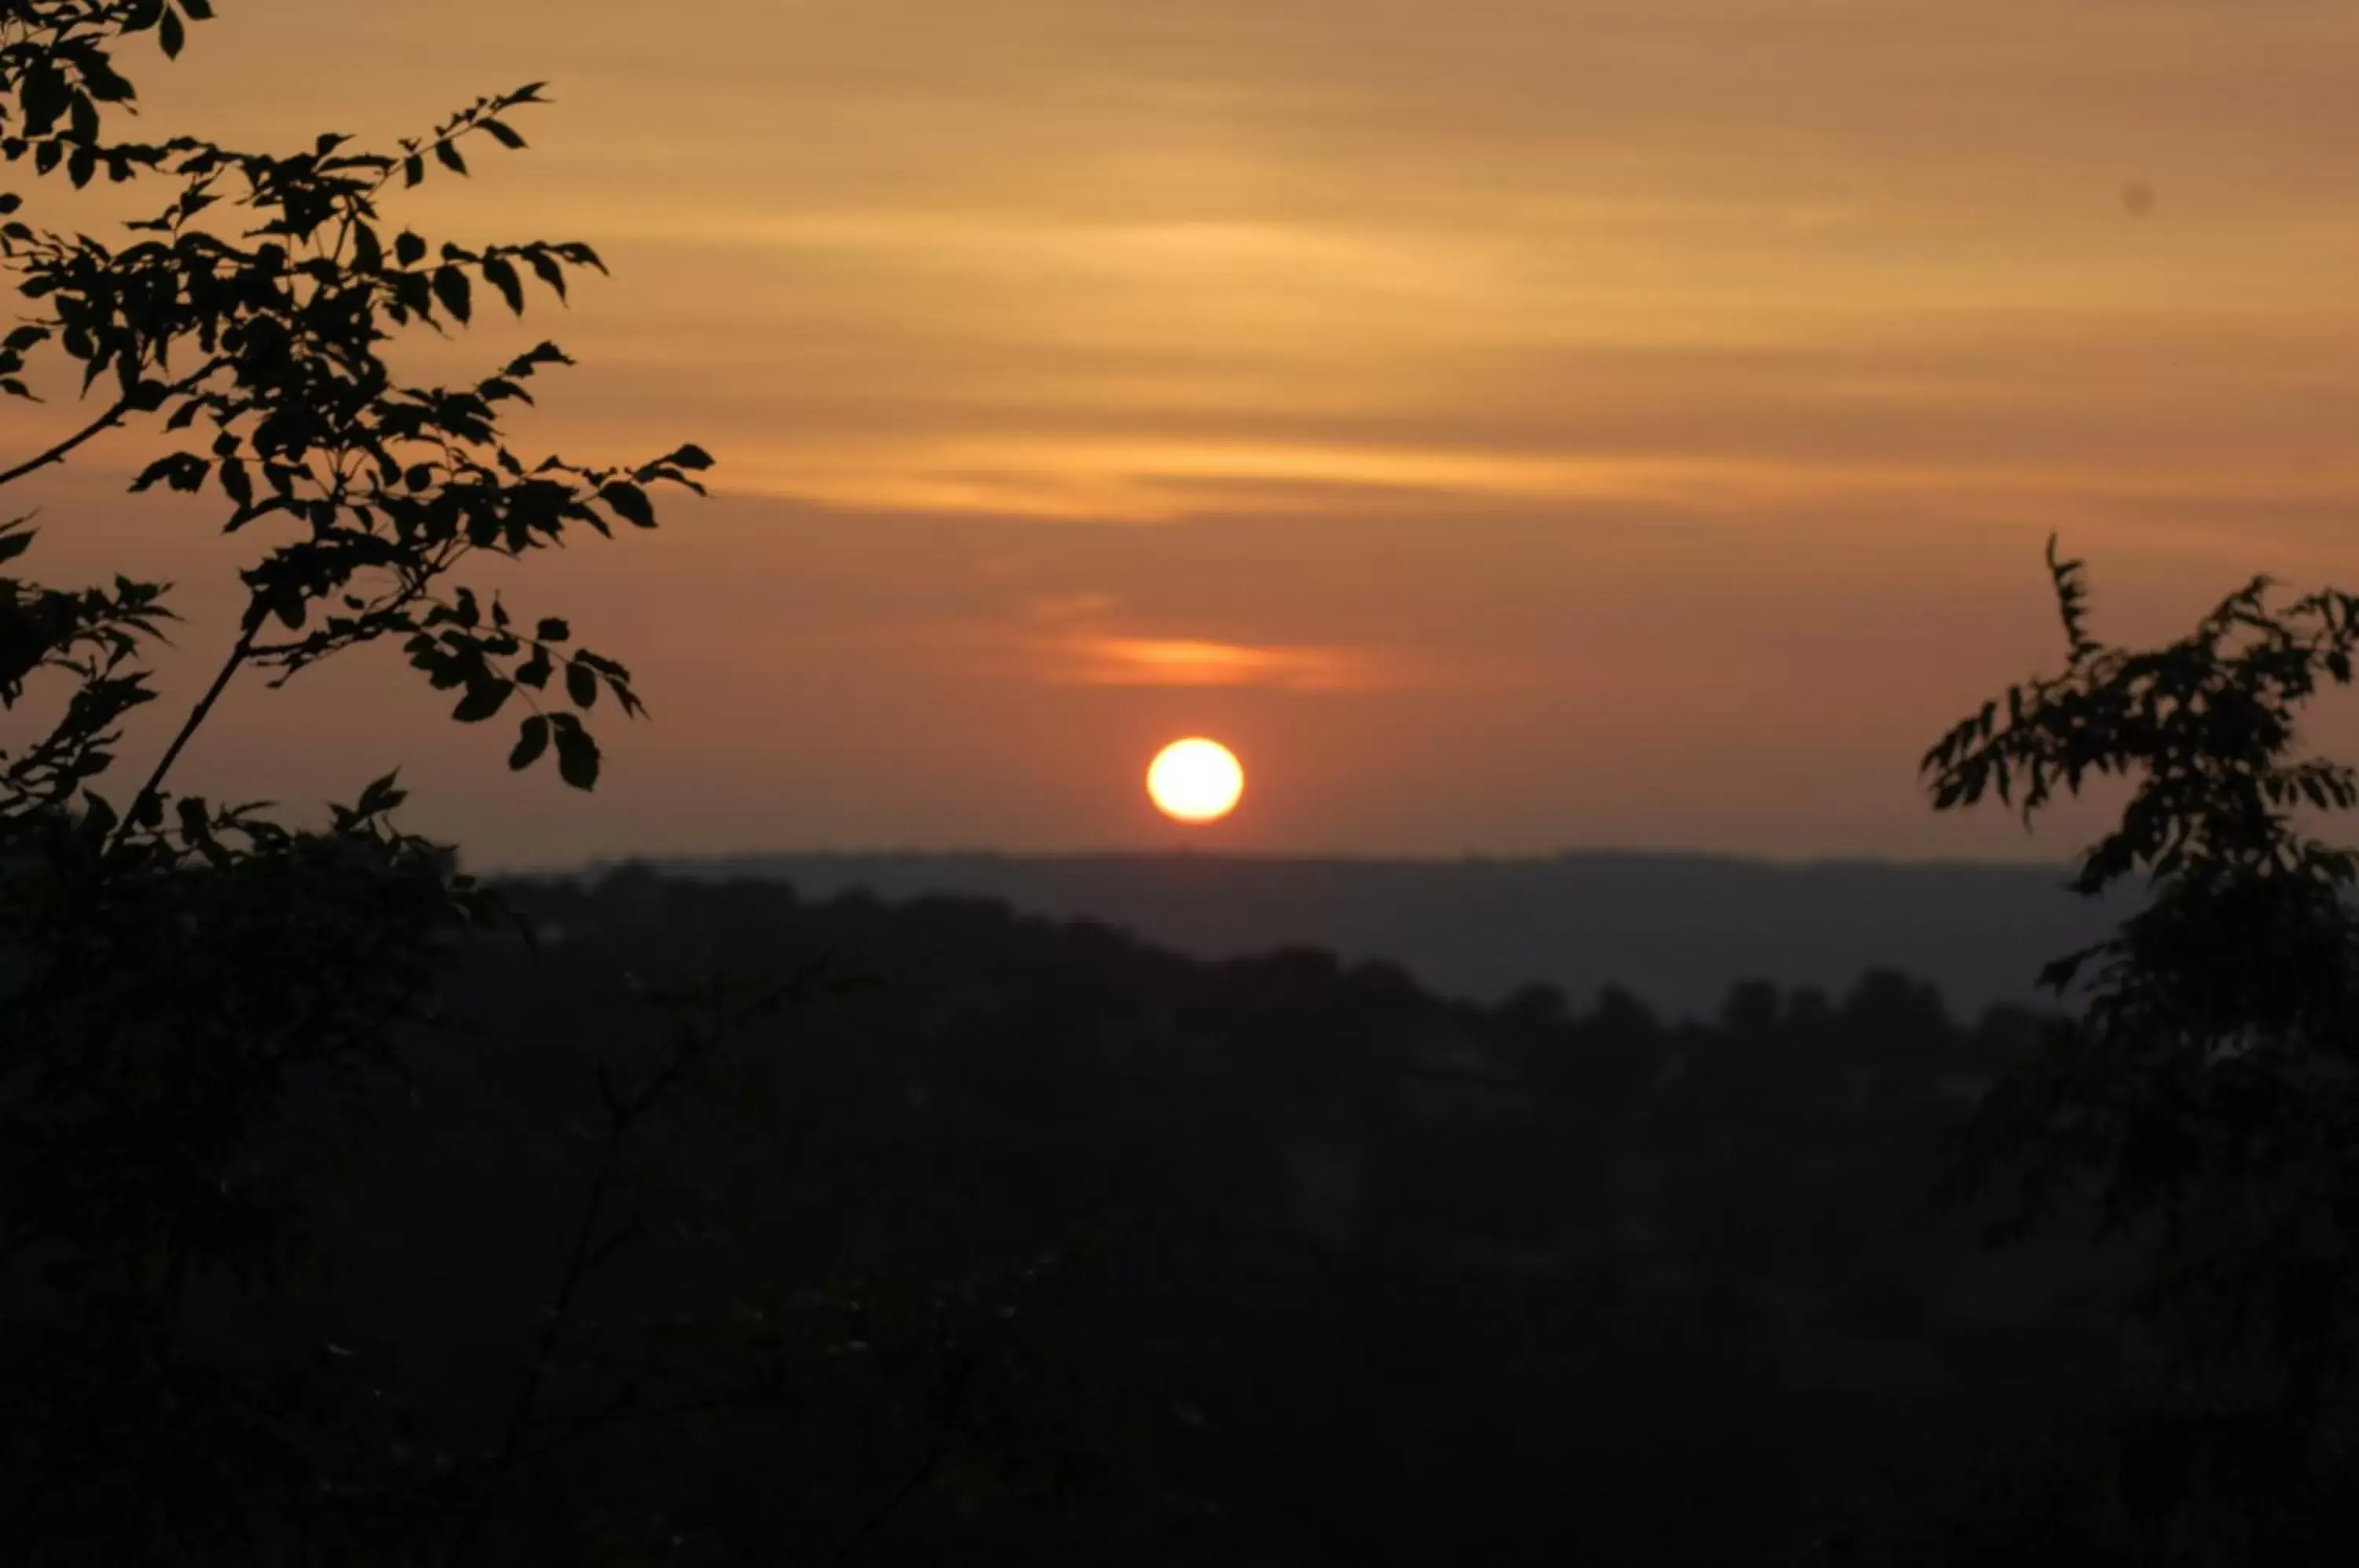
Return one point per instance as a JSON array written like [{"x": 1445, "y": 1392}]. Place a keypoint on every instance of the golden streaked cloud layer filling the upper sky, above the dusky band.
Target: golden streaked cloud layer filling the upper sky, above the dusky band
[{"x": 1143, "y": 263}]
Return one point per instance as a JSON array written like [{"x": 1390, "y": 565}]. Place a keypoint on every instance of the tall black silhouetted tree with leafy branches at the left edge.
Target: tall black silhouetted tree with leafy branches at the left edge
[{"x": 176, "y": 975}]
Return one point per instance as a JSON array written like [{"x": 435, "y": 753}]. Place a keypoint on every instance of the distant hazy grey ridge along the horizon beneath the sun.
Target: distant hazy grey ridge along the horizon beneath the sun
[{"x": 1671, "y": 930}]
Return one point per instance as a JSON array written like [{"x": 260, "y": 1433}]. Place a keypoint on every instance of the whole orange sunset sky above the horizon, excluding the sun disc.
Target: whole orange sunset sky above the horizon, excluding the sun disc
[{"x": 1511, "y": 426}]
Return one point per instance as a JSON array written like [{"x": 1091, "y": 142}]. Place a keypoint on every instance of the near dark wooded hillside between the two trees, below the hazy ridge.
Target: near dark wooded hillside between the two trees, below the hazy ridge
[{"x": 992, "y": 1239}]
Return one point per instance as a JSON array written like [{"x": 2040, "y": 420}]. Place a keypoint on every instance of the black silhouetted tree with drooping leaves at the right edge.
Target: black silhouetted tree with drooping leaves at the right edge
[{"x": 2204, "y": 1102}]
